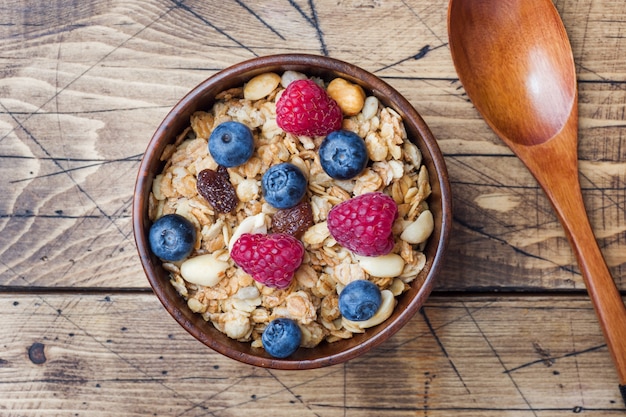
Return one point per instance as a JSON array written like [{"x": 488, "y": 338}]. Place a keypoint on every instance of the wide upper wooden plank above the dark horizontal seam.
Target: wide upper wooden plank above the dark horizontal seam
[{"x": 83, "y": 85}]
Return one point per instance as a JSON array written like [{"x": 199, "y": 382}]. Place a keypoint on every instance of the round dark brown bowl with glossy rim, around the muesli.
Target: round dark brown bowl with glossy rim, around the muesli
[{"x": 201, "y": 98}]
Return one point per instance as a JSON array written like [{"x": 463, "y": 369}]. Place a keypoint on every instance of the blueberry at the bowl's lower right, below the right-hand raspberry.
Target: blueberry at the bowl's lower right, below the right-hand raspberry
[{"x": 359, "y": 300}]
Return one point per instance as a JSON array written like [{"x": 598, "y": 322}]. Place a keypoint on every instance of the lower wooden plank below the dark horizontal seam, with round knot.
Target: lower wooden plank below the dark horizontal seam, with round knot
[{"x": 472, "y": 356}]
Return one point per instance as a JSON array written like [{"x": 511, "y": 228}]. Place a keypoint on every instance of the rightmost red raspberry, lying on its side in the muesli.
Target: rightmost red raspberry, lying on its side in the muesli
[{"x": 363, "y": 224}]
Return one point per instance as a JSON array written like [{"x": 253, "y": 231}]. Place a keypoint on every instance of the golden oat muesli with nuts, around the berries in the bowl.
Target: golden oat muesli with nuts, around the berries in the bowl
[{"x": 221, "y": 291}]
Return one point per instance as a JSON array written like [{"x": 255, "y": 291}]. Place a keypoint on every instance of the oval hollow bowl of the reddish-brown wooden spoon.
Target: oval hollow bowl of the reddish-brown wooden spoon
[{"x": 539, "y": 74}]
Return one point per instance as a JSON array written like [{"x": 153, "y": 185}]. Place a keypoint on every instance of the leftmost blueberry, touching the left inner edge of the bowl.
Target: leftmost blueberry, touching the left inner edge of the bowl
[{"x": 172, "y": 237}]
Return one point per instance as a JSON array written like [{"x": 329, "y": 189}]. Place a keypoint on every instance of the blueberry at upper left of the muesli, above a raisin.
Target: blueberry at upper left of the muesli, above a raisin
[{"x": 231, "y": 144}]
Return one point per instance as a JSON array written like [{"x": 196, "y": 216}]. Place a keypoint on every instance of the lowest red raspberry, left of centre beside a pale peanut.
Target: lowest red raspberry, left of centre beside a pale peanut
[{"x": 271, "y": 259}]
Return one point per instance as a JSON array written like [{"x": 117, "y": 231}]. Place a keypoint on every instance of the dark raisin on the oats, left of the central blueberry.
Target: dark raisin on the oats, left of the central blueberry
[{"x": 216, "y": 188}]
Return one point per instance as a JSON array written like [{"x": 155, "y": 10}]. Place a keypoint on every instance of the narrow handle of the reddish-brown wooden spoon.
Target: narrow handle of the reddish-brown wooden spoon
[{"x": 554, "y": 165}]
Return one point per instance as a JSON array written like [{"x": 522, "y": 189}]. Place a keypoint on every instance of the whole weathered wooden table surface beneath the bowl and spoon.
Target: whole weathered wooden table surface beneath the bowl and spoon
[{"x": 509, "y": 330}]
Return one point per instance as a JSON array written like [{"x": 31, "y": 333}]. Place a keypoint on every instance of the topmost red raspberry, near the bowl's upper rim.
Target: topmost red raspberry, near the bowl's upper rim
[{"x": 305, "y": 109}]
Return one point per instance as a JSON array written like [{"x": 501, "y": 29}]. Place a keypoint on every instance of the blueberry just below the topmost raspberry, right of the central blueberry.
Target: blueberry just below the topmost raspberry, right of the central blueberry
[{"x": 343, "y": 154}]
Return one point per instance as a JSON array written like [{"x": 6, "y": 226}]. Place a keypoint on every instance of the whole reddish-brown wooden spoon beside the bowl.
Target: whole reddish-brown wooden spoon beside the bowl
[{"x": 515, "y": 62}]
